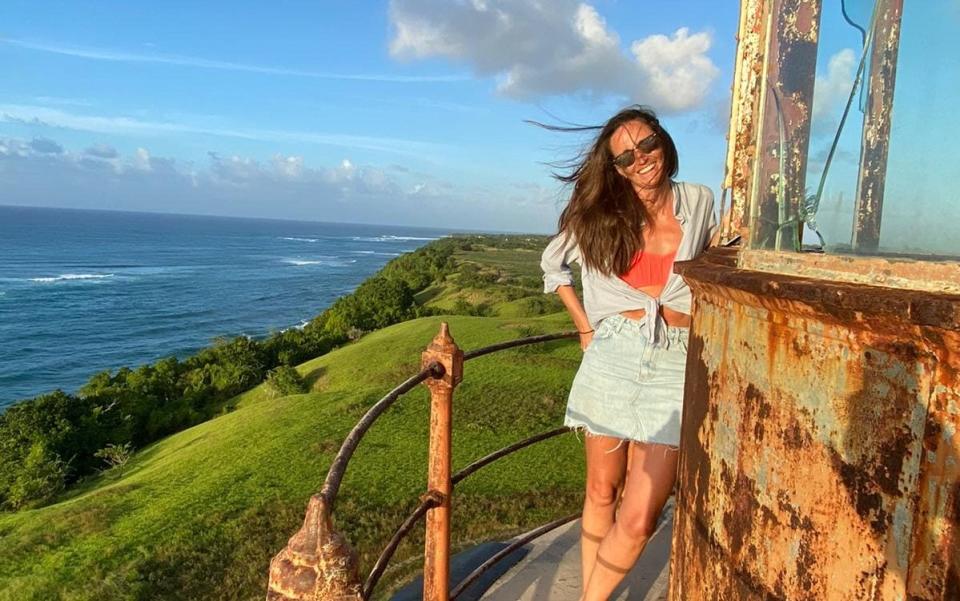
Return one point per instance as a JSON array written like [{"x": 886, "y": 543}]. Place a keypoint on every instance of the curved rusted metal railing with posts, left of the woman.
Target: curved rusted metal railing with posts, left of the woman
[{"x": 319, "y": 564}]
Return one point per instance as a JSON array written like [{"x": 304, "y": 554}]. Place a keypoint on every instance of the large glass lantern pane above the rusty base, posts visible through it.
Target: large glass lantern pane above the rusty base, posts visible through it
[{"x": 903, "y": 201}]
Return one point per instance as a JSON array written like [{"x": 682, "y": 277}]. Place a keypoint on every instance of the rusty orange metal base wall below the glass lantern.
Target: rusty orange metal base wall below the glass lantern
[{"x": 820, "y": 447}]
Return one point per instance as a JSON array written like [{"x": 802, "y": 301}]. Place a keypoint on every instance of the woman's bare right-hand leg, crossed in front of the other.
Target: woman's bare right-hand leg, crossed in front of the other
[{"x": 653, "y": 471}]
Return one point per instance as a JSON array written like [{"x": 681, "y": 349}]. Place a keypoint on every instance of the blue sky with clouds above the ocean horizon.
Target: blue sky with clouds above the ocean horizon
[{"x": 405, "y": 112}]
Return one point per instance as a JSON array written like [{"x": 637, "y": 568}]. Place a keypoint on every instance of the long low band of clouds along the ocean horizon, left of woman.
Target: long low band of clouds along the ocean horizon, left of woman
[{"x": 284, "y": 186}]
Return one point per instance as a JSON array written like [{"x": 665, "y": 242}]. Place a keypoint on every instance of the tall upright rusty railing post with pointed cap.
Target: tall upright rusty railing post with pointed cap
[{"x": 443, "y": 351}]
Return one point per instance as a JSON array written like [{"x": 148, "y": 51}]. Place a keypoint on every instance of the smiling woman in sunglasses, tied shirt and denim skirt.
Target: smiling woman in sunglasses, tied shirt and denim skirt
[{"x": 627, "y": 221}]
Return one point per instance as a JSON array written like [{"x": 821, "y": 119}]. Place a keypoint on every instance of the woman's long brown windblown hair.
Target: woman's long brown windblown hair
[{"x": 604, "y": 214}]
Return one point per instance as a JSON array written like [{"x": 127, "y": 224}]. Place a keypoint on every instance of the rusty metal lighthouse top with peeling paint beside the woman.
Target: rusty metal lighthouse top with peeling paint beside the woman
[{"x": 820, "y": 454}]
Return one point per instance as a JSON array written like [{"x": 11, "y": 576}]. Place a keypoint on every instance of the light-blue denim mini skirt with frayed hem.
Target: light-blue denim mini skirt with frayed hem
[{"x": 628, "y": 388}]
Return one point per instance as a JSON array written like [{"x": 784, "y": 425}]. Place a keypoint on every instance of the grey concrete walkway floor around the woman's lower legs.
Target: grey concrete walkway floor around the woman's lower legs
[{"x": 551, "y": 569}]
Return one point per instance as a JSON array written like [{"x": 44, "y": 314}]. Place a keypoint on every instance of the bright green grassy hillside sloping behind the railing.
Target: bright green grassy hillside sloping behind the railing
[{"x": 199, "y": 514}]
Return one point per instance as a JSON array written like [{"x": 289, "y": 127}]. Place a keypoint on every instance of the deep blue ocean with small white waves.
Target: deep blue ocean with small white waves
[{"x": 85, "y": 291}]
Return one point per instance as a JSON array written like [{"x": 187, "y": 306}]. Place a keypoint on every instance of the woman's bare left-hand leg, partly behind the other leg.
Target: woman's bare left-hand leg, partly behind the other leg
[{"x": 606, "y": 466}]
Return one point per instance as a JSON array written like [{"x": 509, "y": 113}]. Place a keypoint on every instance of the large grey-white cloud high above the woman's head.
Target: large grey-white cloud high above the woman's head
[{"x": 538, "y": 49}]
